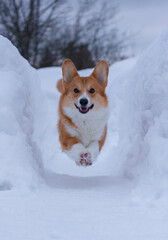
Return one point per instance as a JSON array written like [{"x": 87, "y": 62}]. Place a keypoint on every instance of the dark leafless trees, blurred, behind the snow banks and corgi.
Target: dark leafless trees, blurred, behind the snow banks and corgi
[{"x": 48, "y": 31}]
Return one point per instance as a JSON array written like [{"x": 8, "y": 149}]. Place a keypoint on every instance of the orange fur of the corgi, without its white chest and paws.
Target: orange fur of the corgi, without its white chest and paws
[{"x": 71, "y": 80}]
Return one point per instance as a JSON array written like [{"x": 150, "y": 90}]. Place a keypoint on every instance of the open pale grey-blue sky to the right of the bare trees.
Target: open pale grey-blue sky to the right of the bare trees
[{"x": 146, "y": 18}]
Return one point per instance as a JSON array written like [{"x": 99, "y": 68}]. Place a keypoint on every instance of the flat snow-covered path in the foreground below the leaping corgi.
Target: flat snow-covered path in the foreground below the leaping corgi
[{"x": 80, "y": 213}]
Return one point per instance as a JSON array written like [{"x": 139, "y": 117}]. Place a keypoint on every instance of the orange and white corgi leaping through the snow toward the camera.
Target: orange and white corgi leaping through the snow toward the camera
[{"x": 83, "y": 112}]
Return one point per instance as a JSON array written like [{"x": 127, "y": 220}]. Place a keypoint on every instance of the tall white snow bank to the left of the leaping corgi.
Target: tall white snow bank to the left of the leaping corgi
[{"x": 20, "y": 114}]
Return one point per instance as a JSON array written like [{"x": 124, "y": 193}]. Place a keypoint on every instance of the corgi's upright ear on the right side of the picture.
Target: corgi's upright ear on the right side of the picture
[{"x": 101, "y": 72}]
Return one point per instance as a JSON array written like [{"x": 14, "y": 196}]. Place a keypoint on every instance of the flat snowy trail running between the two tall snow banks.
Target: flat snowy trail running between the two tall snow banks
[{"x": 97, "y": 206}]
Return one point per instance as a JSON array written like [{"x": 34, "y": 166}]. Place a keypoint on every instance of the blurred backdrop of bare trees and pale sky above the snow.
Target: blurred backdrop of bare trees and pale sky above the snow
[{"x": 48, "y": 31}]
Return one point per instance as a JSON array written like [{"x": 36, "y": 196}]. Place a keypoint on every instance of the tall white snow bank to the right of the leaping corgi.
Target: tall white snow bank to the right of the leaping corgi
[{"x": 143, "y": 117}]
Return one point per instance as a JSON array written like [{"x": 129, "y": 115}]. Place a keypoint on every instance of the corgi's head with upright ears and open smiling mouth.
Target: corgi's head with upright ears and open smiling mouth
[{"x": 84, "y": 94}]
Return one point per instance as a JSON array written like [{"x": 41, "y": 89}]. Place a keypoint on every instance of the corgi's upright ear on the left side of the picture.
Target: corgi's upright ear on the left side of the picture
[{"x": 68, "y": 71}]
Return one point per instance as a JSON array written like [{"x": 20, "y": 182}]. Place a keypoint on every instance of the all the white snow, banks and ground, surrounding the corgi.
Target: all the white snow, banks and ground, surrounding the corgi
[{"x": 124, "y": 195}]
